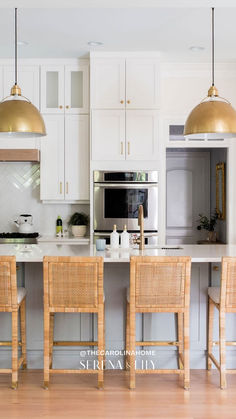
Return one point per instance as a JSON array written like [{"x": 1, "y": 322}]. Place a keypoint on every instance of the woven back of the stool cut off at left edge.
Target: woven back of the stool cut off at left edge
[{"x": 8, "y": 286}]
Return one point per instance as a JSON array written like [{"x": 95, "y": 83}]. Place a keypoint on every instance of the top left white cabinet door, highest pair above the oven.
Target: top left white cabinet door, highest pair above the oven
[{"x": 108, "y": 83}]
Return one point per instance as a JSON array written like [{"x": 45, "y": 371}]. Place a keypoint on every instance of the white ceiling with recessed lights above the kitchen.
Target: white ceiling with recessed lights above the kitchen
[{"x": 65, "y": 32}]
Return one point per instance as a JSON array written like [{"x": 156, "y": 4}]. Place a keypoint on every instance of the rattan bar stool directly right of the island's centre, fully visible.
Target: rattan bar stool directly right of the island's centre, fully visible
[{"x": 159, "y": 285}]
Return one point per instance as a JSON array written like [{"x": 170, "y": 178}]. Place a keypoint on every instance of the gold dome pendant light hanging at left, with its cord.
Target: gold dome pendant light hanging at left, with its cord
[{"x": 18, "y": 116}]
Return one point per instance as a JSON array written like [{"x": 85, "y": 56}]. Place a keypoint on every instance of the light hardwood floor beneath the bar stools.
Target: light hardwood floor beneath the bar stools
[{"x": 75, "y": 396}]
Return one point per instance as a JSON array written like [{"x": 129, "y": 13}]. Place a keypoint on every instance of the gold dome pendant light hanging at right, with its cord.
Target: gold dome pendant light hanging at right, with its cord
[{"x": 214, "y": 118}]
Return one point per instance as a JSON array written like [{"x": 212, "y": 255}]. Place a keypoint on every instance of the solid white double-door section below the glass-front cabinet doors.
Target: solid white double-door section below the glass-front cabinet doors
[{"x": 65, "y": 159}]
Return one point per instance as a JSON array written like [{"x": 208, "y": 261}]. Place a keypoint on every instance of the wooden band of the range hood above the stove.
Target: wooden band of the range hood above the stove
[{"x": 19, "y": 154}]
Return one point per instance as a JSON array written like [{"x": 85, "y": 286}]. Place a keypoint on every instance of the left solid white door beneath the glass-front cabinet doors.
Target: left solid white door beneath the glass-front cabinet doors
[{"x": 52, "y": 159}]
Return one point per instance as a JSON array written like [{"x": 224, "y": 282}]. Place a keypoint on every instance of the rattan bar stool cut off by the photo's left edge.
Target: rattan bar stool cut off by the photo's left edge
[{"x": 12, "y": 300}]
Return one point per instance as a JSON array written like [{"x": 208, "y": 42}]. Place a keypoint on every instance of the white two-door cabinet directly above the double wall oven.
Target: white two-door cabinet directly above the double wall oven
[{"x": 124, "y": 135}]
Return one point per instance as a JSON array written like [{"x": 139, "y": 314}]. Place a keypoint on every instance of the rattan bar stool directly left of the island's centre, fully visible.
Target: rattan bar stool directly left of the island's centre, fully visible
[{"x": 73, "y": 285}]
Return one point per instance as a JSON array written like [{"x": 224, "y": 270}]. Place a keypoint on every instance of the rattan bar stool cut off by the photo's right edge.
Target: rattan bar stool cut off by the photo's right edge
[{"x": 224, "y": 299}]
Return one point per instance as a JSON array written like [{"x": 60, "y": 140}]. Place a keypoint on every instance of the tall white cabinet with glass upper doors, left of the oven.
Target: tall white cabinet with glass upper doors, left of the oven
[{"x": 65, "y": 150}]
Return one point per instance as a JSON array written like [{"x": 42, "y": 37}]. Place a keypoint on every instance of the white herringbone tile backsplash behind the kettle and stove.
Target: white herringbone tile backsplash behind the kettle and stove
[{"x": 20, "y": 193}]
